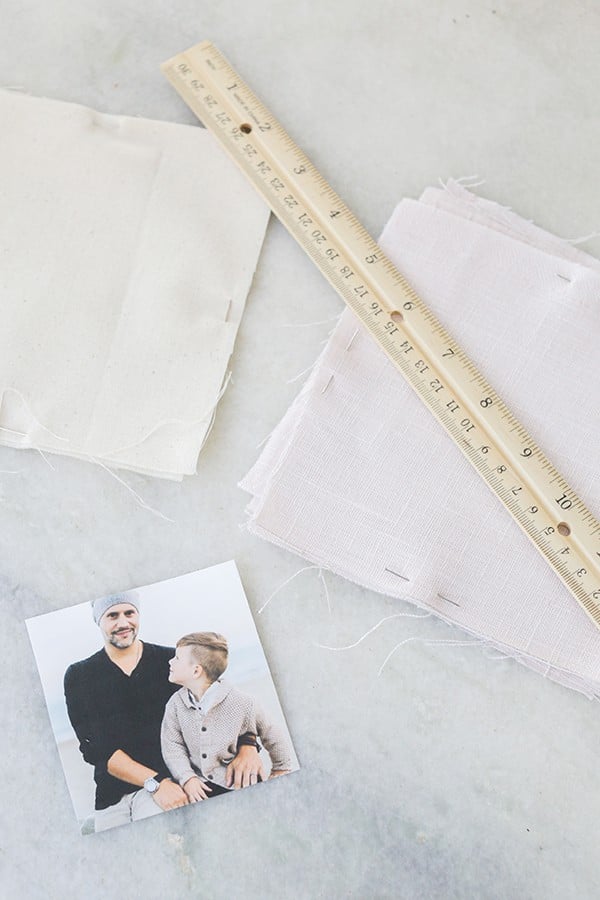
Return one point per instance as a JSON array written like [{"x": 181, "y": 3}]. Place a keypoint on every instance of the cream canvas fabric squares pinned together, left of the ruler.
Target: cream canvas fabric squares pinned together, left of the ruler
[{"x": 128, "y": 247}]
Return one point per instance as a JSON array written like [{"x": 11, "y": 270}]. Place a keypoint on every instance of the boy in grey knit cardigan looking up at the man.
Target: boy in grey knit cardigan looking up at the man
[{"x": 204, "y": 719}]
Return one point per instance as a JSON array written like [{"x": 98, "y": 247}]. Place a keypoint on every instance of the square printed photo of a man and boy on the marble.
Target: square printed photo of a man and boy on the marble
[{"x": 160, "y": 697}]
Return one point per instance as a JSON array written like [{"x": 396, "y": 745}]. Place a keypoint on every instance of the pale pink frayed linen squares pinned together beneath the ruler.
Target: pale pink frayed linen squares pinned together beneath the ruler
[{"x": 358, "y": 478}]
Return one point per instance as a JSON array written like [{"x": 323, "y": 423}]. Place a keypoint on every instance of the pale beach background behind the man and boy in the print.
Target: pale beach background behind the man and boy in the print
[{"x": 209, "y": 600}]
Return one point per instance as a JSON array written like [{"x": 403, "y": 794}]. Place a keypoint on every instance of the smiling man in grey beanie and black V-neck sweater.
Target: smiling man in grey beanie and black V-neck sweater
[{"x": 116, "y": 700}]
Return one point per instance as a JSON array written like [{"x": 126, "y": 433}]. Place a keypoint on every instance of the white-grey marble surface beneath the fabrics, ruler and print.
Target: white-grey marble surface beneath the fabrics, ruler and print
[{"x": 453, "y": 775}]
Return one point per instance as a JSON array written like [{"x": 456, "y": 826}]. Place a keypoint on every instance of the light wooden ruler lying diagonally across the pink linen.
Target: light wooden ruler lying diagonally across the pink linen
[{"x": 492, "y": 439}]
